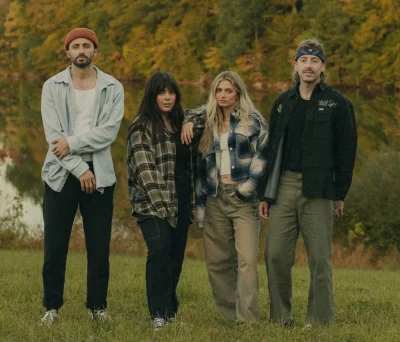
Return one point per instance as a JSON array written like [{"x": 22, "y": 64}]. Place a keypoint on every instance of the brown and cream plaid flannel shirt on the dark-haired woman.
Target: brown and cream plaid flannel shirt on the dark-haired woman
[{"x": 151, "y": 169}]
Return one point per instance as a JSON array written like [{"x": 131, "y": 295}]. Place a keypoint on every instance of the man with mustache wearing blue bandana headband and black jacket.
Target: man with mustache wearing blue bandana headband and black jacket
[{"x": 311, "y": 154}]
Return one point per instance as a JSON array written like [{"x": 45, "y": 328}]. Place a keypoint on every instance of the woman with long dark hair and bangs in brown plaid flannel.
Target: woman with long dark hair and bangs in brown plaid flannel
[{"x": 160, "y": 191}]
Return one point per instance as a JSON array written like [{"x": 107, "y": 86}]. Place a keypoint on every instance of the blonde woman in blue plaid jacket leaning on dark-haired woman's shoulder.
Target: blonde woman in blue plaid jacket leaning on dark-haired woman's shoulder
[{"x": 230, "y": 166}]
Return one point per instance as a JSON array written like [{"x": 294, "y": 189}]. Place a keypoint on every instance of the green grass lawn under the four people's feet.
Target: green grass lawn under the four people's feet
[{"x": 367, "y": 305}]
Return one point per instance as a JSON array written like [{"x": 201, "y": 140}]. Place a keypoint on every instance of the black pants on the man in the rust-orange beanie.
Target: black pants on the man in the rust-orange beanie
[{"x": 59, "y": 210}]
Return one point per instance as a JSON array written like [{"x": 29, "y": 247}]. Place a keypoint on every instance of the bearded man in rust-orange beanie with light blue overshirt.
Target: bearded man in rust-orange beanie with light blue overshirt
[{"x": 82, "y": 109}]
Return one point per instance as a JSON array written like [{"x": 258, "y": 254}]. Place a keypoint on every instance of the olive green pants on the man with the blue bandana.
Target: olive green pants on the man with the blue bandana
[{"x": 313, "y": 217}]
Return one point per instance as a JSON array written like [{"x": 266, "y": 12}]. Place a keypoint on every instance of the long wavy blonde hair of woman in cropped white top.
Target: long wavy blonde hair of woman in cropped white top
[{"x": 215, "y": 116}]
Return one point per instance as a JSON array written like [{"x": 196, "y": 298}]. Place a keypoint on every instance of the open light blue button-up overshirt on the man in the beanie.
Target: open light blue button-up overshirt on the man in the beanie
[{"x": 58, "y": 115}]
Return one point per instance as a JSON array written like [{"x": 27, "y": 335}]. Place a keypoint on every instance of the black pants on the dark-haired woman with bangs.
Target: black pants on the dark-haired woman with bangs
[{"x": 166, "y": 249}]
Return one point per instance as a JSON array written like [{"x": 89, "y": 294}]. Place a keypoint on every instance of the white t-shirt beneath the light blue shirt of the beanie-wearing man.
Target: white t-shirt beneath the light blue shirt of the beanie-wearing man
[{"x": 85, "y": 104}]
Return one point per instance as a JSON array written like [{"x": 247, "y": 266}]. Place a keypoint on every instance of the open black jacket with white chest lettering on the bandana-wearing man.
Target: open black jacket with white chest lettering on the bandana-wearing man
[{"x": 329, "y": 143}]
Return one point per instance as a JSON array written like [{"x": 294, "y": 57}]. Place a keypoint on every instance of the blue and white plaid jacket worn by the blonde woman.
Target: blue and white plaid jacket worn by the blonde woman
[{"x": 247, "y": 144}]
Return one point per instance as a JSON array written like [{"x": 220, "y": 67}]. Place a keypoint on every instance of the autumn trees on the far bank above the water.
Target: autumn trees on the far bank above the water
[{"x": 194, "y": 40}]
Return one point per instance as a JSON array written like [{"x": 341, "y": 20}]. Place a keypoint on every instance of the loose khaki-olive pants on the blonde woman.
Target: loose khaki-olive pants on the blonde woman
[{"x": 231, "y": 231}]
